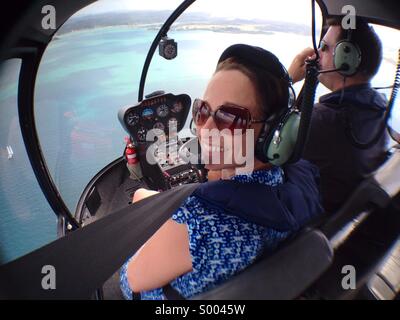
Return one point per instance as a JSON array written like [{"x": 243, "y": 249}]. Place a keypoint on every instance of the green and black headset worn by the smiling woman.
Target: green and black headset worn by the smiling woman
[{"x": 278, "y": 137}]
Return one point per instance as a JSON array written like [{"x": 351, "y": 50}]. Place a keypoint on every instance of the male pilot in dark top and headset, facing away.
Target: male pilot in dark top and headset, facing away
[{"x": 350, "y": 116}]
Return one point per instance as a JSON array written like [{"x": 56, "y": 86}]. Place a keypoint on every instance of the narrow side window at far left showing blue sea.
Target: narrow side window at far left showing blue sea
[{"x": 26, "y": 220}]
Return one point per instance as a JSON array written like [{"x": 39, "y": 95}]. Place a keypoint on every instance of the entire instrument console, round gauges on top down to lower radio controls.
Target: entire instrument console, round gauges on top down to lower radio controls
[{"x": 153, "y": 125}]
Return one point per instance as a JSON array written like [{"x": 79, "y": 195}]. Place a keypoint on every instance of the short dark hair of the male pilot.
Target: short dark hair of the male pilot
[{"x": 365, "y": 37}]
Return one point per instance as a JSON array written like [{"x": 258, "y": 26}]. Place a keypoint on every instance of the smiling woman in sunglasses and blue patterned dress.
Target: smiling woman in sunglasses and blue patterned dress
[{"x": 201, "y": 245}]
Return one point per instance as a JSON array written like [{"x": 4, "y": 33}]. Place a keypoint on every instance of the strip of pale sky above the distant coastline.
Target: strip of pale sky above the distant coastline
[{"x": 297, "y": 11}]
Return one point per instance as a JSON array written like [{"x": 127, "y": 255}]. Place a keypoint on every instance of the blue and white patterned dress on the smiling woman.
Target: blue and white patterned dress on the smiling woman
[{"x": 221, "y": 245}]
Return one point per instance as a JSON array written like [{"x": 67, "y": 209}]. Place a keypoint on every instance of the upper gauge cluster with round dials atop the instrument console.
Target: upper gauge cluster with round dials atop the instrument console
[{"x": 155, "y": 116}]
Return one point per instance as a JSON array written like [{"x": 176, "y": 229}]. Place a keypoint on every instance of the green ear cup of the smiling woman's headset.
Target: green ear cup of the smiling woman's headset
[{"x": 280, "y": 147}]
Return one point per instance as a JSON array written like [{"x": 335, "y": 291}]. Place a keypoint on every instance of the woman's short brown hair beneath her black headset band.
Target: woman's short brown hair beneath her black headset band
[{"x": 272, "y": 92}]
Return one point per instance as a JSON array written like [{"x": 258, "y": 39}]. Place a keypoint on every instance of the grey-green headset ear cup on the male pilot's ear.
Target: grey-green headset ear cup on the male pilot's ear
[{"x": 347, "y": 55}]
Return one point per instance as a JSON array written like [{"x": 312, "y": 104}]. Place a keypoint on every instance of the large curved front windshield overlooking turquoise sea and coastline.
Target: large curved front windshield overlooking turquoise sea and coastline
[{"x": 93, "y": 65}]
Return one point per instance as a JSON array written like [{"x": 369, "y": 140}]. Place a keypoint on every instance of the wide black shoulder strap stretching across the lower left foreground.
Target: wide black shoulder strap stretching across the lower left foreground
[{"x": 83, "y": 260}]
